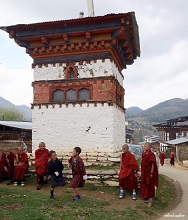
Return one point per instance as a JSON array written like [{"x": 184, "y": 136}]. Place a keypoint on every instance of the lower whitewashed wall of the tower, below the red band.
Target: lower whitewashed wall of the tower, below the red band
[{"x": 94, "y": 129}]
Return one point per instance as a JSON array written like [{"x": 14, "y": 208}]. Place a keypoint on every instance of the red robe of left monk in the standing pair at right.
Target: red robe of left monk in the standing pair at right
[{"x": 127, "y": 179}]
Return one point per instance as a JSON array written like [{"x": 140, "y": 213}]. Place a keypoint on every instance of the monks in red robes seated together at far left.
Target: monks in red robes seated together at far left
[{"x": 13, "y": 166}]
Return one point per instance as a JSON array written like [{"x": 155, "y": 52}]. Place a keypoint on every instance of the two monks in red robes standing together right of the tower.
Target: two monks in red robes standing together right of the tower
[{"x": 129, "y": 173}]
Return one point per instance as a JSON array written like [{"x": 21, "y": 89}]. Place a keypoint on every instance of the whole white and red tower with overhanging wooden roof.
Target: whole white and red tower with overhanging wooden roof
[{"x": 78, "y": 94}]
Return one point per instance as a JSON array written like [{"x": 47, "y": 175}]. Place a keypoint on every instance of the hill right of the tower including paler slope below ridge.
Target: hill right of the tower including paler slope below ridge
[{"x": 142, "y": 120}]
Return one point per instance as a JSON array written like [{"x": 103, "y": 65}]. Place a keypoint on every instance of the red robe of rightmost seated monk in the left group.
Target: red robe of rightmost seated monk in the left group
[{"x": 19, "y": 171}]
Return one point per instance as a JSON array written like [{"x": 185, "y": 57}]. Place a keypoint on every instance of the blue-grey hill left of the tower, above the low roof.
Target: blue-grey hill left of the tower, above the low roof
[{"x": 25, "y": 110}]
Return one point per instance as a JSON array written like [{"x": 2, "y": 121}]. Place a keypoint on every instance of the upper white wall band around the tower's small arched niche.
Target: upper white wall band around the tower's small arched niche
[{"x": 85, "y": 70}]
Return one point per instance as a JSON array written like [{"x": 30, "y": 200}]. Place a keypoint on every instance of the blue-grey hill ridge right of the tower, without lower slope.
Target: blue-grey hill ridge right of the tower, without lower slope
[{"x": 165, "y": 110}]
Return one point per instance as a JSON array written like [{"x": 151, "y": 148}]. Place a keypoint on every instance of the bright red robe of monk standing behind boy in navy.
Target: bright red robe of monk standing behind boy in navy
[{"x": 41, "y": 161}]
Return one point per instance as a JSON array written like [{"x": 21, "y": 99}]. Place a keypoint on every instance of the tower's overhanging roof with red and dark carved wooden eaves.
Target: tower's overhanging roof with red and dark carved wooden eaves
[{"x": 113, "y": 36}]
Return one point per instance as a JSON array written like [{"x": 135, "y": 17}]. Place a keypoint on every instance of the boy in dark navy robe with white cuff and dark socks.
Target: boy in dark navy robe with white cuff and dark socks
[{"x": 55, "y": 168}]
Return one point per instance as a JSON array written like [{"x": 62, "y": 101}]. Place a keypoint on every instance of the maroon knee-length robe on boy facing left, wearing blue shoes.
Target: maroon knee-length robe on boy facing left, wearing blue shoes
[{"x": 78, "y": 171}]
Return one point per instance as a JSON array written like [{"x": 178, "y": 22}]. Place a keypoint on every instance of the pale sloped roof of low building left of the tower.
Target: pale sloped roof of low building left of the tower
[{"x": 17, "y": 124}]
